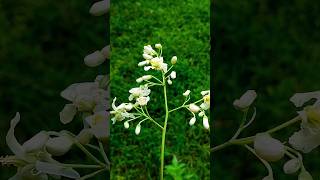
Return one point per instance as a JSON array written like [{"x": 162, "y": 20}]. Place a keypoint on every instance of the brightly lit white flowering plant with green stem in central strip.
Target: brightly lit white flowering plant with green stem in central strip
[{"x": 135, "y": 111}]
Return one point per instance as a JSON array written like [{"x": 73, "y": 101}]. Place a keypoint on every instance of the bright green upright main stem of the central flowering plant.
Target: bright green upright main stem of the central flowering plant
[{"x": 164, "y": 128}]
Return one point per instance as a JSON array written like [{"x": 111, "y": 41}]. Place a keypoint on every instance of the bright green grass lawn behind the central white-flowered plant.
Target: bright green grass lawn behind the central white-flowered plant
[{"x": 182, "y": 27}]
